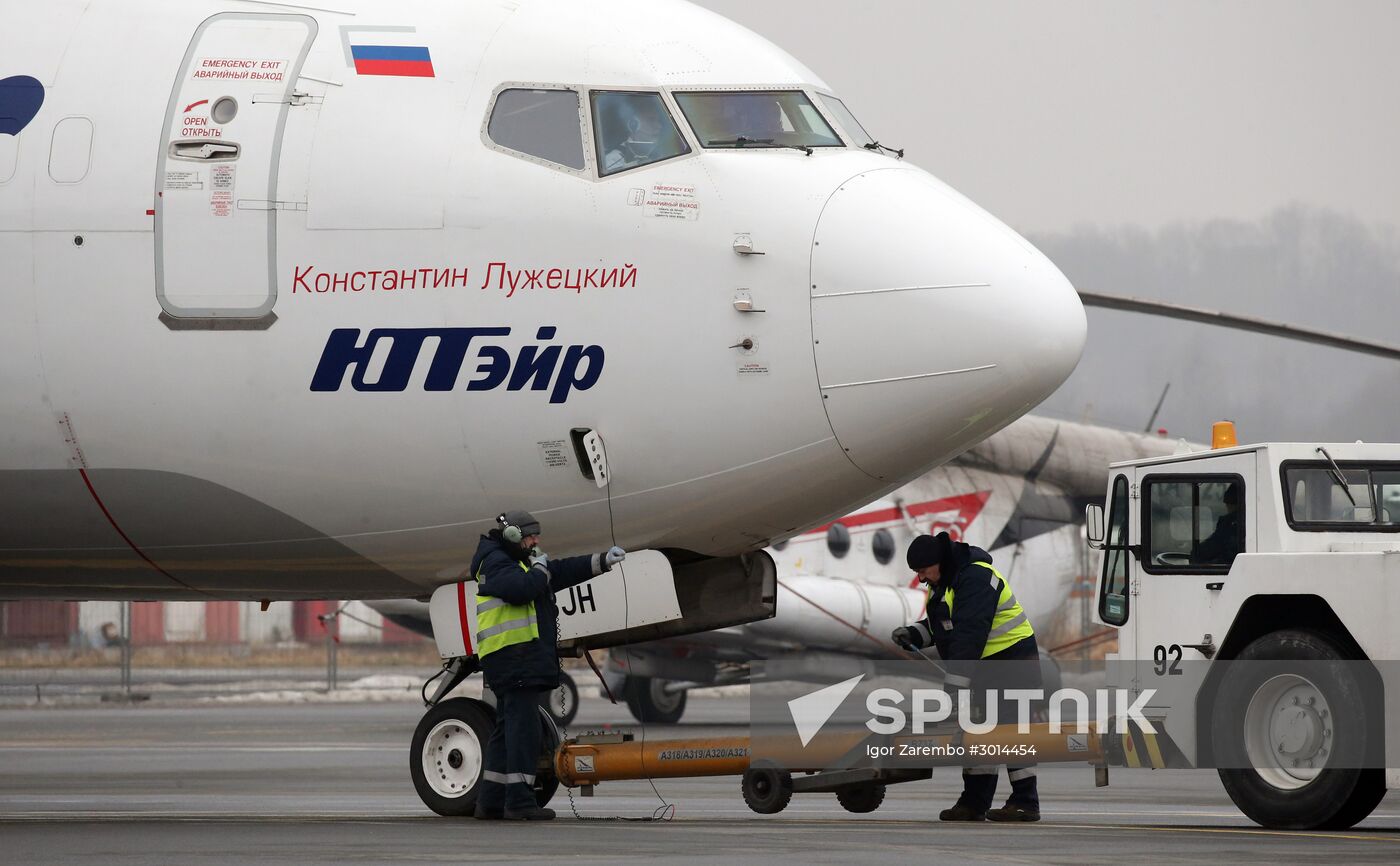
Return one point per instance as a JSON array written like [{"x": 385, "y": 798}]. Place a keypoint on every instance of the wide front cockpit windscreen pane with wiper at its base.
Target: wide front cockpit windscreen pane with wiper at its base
[{"x": 757, "y": 120}]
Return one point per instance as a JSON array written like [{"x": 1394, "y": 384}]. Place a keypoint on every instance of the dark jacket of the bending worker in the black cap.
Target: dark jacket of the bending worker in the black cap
[{"x": 975, "y": 606}]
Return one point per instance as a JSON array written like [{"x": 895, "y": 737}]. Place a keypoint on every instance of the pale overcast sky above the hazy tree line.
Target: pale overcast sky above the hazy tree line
[{"x": 1055, "y": 114}]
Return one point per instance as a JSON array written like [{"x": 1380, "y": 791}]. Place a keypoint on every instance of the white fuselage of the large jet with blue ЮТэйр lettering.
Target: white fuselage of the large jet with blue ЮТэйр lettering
[{"x": 211, "y": 388}]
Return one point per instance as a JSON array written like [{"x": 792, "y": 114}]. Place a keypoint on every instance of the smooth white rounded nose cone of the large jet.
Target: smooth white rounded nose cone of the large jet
[{"x": 934, "y": 324}]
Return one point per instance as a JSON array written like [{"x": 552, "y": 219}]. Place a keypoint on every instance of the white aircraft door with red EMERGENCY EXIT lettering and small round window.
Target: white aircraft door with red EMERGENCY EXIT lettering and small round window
[{"x": 216, "y": 183}]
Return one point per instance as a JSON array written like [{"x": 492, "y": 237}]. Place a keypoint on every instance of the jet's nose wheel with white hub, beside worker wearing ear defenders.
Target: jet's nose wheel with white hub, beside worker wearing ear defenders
[{"x": 451, "y": 794}]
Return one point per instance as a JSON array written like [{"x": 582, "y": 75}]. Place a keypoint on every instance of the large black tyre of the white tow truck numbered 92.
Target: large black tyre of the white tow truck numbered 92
[{"x": 1350, "y": 783}]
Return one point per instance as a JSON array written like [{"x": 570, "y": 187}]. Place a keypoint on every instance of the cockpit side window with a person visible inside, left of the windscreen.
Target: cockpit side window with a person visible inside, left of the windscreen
[{"x": 633, "y": 129}]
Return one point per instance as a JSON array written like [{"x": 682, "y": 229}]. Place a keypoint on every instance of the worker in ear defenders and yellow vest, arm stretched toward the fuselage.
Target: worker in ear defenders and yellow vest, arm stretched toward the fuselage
[{"x": 517, "y": 629}]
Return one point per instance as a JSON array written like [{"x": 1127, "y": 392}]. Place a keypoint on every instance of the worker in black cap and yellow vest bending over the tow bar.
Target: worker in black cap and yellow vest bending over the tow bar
[{"x": 974, "y": 618}]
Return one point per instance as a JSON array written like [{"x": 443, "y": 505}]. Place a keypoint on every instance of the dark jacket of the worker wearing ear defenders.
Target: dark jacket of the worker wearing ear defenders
[{"x": 533, "y": 665}]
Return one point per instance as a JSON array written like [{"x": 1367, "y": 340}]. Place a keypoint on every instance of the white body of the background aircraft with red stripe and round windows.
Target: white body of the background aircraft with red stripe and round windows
[{"x": 1020, "y": 496}]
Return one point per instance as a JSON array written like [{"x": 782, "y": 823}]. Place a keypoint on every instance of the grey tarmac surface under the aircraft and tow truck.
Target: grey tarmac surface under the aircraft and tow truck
[{"x": 330, "y": 783}]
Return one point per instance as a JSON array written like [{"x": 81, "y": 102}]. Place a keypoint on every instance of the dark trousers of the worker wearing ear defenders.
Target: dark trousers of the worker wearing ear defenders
[{"x": 513, "y": 753}]
